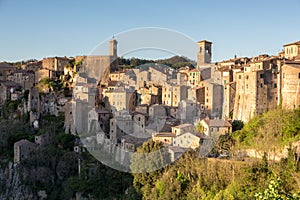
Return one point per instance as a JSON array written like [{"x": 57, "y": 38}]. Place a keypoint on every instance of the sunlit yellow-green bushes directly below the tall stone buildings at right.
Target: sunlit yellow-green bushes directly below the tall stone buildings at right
[{"x": 272, "y": 129}]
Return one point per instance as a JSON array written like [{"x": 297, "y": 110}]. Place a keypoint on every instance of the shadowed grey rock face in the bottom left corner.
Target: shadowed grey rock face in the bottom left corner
[{"x": 11, "y": 185}]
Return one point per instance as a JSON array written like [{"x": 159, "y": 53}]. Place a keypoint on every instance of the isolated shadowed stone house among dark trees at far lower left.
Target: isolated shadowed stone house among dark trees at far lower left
[{"x": 23, "y": 149}]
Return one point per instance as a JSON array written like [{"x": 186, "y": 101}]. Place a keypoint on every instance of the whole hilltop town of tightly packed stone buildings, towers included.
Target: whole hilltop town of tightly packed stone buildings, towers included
[{"x": 120, "y": 108}]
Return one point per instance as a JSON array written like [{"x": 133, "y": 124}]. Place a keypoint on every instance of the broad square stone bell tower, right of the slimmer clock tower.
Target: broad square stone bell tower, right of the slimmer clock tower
[{"x": 204, "y": 53}]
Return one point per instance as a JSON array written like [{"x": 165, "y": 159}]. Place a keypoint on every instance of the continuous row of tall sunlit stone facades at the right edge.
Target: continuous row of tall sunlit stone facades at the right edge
[{"x": 252, "y": 86}]
